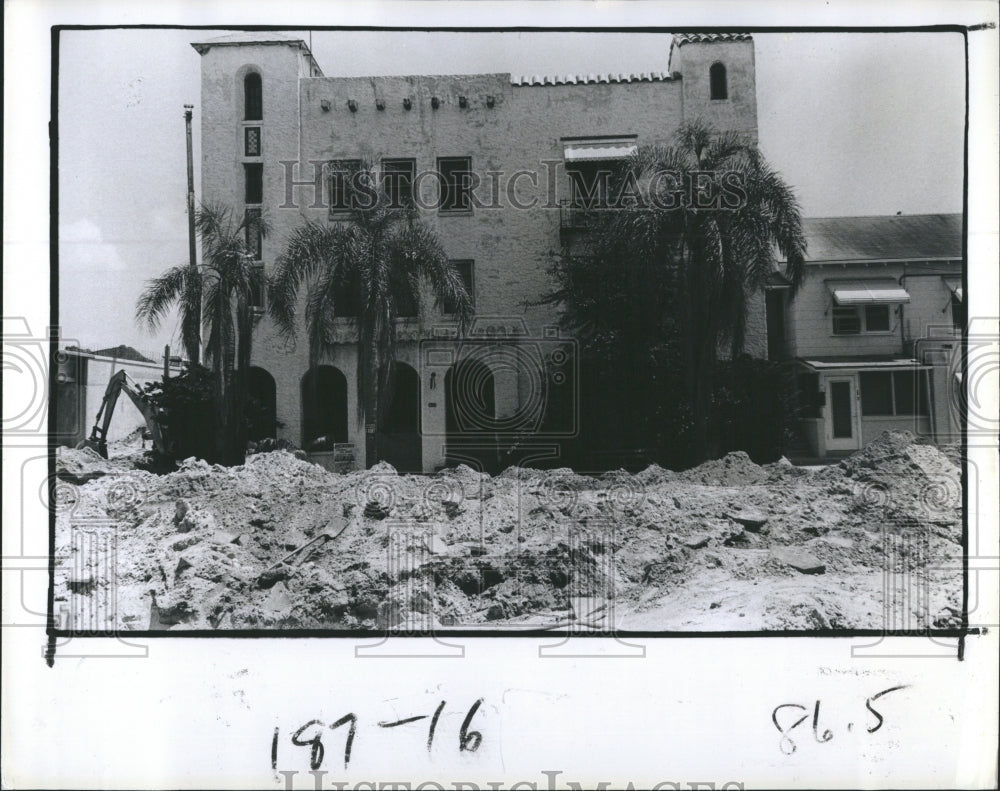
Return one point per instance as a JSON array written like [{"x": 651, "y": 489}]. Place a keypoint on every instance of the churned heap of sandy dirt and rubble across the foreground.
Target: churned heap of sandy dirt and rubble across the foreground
[{"x": 280, "y": 542}]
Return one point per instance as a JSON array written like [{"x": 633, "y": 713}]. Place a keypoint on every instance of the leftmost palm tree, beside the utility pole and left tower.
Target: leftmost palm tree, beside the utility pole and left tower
[{"x": 222, "y": 287}]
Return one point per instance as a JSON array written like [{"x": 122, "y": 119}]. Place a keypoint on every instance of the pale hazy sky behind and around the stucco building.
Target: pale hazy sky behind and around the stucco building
[{"x": 857, "y": 123}]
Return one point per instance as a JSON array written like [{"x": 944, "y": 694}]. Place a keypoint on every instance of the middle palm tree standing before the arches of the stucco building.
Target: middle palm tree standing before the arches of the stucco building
[{"x": 364, "y": 268}]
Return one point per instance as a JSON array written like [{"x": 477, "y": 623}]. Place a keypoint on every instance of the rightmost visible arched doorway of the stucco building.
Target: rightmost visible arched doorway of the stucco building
[{"x": 470, "y": 416}]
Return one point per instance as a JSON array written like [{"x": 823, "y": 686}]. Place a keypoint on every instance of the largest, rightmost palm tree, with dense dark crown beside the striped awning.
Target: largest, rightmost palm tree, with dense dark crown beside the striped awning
[{"x": 702, "y": 262}]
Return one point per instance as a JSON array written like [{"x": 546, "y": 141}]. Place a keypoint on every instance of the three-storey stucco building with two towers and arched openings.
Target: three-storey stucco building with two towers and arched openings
[{"x": 270, "y": 124}]
